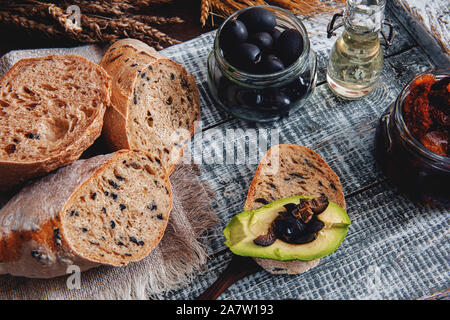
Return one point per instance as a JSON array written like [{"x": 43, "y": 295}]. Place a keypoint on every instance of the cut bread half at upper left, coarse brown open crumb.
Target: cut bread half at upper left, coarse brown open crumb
[{"x": 51, "y": 110}]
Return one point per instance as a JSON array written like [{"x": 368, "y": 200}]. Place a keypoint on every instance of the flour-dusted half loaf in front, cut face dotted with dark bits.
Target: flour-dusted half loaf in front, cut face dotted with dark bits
[{"x": 111, "y": 209}]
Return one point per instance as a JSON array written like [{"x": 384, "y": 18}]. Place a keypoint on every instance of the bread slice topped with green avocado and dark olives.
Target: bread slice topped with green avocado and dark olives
[{"x": 295, "y": 212}]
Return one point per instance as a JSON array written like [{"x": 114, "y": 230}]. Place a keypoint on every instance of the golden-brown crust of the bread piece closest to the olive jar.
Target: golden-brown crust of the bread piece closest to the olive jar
[{"x": 125, "y": 60}]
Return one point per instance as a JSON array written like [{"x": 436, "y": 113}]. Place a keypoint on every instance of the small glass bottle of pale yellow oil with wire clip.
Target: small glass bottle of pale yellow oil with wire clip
[{"x": 356, "y": 59}]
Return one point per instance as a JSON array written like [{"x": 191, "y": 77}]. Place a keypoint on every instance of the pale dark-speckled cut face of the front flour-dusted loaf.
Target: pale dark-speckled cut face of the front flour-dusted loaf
[{"x": 120, "y": 215}]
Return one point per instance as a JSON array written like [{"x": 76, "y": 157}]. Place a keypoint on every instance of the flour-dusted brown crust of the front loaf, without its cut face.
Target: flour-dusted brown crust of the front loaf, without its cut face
[{"x": 33, "y": 241}]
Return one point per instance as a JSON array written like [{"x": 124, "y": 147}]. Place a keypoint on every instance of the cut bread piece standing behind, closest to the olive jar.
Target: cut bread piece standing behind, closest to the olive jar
[{"x": 155, "y": 102}]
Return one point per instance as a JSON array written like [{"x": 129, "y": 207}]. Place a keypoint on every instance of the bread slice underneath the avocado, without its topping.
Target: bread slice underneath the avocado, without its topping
[{"x": 288, "y": 170}]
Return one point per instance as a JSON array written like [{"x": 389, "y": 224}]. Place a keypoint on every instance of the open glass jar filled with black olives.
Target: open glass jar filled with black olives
[{"x": 261, "y": 90}]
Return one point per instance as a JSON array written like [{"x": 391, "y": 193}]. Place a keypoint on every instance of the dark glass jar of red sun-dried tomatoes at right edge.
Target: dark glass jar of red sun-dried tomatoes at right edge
[{"x": 412, "y": 139}]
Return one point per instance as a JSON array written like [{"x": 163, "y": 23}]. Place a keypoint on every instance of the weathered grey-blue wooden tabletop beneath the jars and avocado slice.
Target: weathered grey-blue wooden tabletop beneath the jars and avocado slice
[{"x": 395, "y": 249}]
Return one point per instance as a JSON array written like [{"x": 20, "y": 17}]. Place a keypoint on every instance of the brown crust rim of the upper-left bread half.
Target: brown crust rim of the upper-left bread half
[{"x": 14, "y": 172}]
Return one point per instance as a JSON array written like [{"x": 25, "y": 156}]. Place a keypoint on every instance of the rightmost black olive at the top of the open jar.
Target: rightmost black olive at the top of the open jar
[{"x": 289, "y": 46}]
